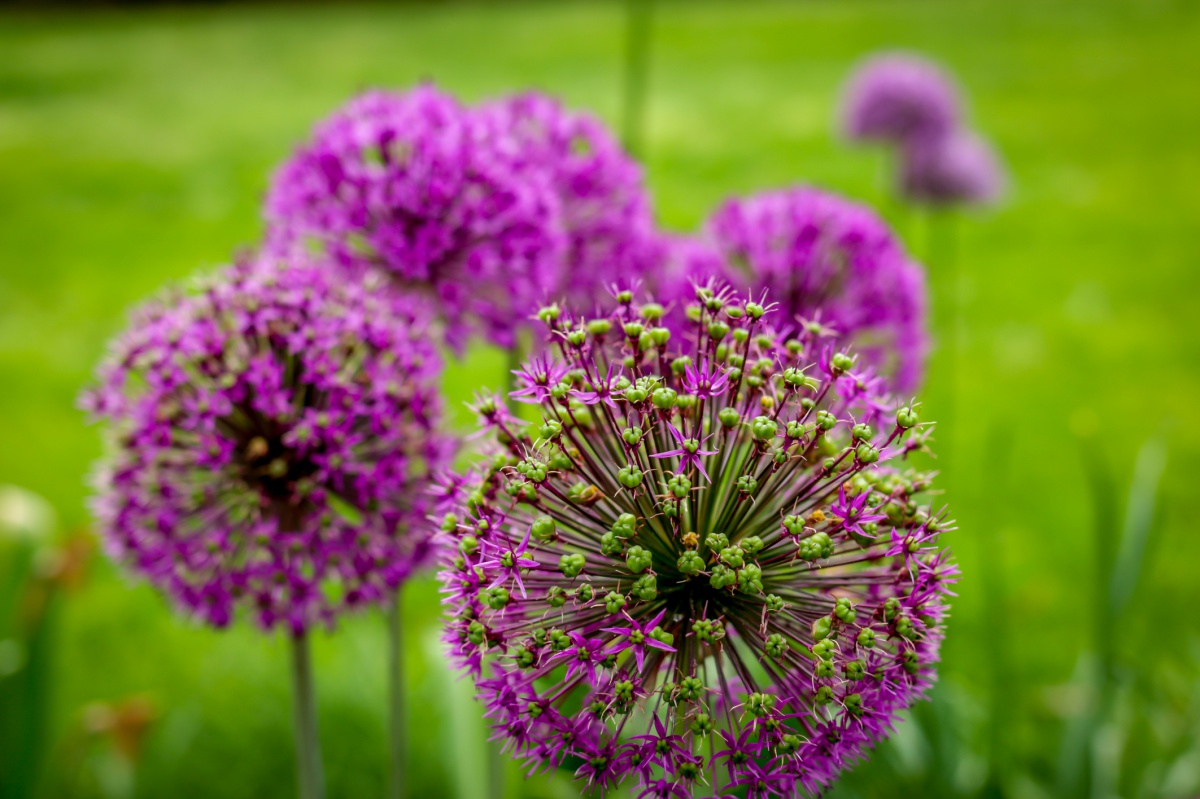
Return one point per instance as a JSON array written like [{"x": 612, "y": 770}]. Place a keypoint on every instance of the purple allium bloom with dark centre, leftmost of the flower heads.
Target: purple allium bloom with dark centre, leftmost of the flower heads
[{"x": 274, "y": 442}]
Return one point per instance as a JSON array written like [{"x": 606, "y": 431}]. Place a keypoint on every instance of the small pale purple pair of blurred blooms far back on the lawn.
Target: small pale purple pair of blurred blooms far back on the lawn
[{"x": 913, "y": 105}]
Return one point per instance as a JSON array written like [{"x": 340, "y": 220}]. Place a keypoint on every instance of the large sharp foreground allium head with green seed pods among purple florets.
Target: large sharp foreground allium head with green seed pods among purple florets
[{"x": 706, "y": 568}]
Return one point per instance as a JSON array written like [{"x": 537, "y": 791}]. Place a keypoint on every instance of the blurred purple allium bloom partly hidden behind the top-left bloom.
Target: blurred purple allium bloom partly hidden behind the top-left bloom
[{"x": 604, "y": 206}]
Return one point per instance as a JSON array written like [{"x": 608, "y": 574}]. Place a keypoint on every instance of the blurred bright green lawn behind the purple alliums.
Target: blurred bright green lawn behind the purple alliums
[{"x": 135, "y": 148}]
